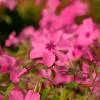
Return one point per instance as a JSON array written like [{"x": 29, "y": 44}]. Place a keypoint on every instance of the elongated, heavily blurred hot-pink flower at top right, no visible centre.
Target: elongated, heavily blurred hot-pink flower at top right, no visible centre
[{"x": 68, "y": 14}]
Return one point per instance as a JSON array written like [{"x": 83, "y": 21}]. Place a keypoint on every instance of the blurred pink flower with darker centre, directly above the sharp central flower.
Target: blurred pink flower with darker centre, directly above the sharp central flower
[{"x": 50, "y": 20}]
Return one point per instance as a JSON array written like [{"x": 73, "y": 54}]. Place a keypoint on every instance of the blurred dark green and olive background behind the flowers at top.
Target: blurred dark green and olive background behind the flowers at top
[{"x": 28, "y": 12}]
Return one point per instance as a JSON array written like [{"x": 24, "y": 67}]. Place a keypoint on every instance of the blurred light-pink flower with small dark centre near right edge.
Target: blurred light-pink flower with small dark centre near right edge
[{"x": 87, "y": 33}]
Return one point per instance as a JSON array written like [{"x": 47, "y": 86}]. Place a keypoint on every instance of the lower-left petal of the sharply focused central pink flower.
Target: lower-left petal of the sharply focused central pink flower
[{"x": 36, "y": 53}]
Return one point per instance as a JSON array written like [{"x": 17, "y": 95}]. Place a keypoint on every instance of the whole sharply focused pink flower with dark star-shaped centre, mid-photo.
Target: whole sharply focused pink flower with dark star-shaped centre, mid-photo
[{"x": 48, "y": 48}]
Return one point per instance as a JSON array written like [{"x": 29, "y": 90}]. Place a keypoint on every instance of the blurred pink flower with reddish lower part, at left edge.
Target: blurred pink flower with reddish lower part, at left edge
[{"x": 8, "y": 64}]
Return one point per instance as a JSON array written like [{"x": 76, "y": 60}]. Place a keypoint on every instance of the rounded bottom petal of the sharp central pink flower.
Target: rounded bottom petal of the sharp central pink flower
[{"x": 48, "y": 58}]
